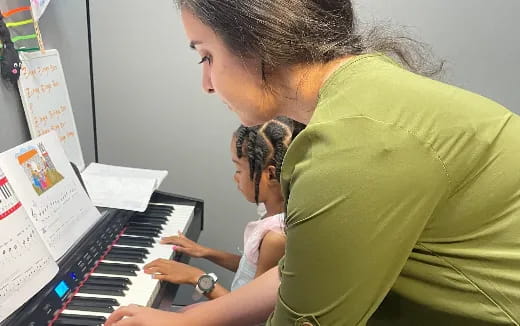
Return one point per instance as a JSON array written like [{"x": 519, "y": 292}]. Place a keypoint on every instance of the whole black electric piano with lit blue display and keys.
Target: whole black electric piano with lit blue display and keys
[{"x": 105, "y": 269}]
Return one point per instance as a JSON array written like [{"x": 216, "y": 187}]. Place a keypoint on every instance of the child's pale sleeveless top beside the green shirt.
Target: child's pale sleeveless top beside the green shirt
[{"x": 253, "y": 235}]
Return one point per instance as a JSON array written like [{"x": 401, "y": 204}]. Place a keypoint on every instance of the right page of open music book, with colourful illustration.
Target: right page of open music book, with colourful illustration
[{"x": 50, "y": 191}]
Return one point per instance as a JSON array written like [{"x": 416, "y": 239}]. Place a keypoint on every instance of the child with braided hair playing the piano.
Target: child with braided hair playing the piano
[{"x": 257, "y": 153}]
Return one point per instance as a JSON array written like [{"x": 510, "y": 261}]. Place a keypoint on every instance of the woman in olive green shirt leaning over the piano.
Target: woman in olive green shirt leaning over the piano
[{"x": 402, "y": 194}]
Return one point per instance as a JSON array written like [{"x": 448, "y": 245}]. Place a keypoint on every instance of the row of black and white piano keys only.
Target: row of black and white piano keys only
[{"x": 119, "y": 279}]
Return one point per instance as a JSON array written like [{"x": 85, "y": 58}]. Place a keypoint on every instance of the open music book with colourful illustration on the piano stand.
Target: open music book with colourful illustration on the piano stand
[{"x": 43, "y": 211}]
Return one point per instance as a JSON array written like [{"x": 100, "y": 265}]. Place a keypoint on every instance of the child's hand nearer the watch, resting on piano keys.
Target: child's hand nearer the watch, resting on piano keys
[{"x": 173, "y": 271}]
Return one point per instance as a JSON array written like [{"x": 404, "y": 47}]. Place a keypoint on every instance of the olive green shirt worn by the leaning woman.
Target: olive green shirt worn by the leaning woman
[{"x": 403, "y": 205}]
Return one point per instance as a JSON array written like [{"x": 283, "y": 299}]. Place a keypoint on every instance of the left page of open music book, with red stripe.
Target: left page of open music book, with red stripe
[{"x": 26, "y": 265}]
